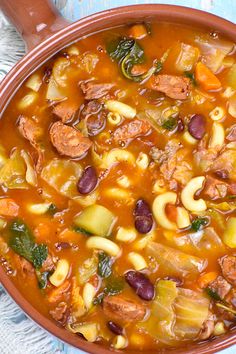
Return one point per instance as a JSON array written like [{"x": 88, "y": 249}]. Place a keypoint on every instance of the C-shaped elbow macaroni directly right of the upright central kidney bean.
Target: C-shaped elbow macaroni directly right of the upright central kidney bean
[{"x": 158, "y": 208}]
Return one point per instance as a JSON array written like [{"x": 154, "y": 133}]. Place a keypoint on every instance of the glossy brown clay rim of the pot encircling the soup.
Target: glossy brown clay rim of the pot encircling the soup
[{"x": 35, "y": 58}]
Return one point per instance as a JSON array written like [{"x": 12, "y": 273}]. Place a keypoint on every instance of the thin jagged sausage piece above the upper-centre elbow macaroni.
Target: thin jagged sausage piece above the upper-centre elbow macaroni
[{"x": 93, "y": 91}]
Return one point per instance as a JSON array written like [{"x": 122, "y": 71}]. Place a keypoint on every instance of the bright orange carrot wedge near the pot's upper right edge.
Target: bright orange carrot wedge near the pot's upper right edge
[{"x": 206, "y": 78}]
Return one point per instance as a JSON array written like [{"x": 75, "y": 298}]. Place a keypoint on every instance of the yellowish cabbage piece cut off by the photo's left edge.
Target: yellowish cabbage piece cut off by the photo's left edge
[{"x": 13, "y": 173}]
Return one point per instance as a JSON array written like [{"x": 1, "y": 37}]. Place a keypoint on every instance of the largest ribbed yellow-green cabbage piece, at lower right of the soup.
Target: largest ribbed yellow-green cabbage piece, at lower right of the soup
[{"x": 176, "y": 314}]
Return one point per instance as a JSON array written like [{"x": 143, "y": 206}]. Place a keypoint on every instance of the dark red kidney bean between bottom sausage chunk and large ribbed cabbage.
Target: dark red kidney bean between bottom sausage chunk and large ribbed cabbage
[{"x": 141, "y": 284}]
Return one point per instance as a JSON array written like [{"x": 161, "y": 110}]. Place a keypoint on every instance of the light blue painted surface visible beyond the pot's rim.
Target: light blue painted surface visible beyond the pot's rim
[{"x": 75, "y": 9}]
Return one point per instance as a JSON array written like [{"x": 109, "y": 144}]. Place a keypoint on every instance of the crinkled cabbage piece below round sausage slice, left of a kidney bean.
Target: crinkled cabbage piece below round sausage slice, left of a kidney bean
[{"x": 63, "y": 176}]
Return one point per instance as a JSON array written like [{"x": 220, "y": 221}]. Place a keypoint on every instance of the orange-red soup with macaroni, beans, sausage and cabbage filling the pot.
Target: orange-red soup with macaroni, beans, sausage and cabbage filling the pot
[{"x": 118, "y": 187}]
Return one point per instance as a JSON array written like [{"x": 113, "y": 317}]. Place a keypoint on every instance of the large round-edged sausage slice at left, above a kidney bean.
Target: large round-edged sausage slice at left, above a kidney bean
[{"x": 69, "y": 141}]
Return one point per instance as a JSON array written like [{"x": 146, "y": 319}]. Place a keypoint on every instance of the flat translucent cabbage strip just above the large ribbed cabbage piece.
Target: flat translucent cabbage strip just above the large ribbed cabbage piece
[{"x": 173, "y": 262}]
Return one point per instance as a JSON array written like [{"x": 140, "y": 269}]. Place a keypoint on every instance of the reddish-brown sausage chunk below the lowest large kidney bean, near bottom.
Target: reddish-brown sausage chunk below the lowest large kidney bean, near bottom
[{"x": 119, "y": 308}]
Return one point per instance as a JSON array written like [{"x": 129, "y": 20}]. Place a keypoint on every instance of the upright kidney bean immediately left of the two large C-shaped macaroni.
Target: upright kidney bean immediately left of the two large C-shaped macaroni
[{"x": 143, "y": 217}]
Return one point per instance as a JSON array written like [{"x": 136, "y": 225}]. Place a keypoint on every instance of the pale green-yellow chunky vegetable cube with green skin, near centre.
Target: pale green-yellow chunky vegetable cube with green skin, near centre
[{"x": 95, "y": 219}]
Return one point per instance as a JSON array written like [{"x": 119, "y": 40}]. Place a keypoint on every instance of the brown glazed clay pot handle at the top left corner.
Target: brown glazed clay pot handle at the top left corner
[{"x": 35, "y": 20}]
